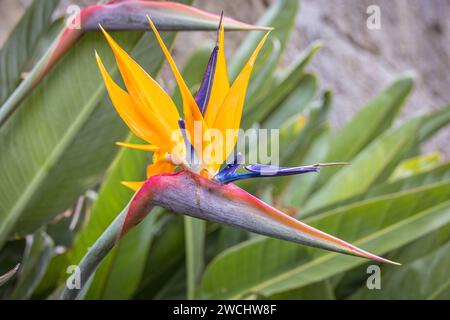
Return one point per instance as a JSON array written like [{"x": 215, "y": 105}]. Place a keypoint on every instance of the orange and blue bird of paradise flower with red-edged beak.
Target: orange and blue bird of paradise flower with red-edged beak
[{"x": 185, "y": 175}]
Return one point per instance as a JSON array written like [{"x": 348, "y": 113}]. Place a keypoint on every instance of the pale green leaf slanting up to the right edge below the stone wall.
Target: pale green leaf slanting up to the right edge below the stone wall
[{"x": 379, "y": 159}]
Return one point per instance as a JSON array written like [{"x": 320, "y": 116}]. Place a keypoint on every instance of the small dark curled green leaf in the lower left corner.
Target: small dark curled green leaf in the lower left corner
[{"x": 38, "y": 253}]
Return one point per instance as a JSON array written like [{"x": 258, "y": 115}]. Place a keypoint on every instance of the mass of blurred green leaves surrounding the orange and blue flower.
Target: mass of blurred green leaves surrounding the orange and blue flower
[{"x": 391, "y": 200}]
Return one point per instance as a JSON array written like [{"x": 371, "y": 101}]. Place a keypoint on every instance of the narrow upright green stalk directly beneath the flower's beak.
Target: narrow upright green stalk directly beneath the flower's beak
[{"x": 195, "y": 242}]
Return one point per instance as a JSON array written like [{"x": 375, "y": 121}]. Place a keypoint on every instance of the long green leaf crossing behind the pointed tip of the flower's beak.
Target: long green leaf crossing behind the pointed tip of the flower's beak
[{"x": 268, "y": 266}]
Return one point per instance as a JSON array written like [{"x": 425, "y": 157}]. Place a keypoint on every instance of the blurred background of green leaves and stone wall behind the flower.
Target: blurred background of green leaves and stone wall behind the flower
[{"x": 60, "y": 170}]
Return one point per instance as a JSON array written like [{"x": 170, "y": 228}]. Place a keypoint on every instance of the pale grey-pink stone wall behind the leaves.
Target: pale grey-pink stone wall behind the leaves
[{"x": 356, "y": 62}]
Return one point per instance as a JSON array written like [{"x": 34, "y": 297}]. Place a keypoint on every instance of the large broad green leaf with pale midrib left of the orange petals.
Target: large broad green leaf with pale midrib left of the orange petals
[{"x": 46, "y": 167}]
